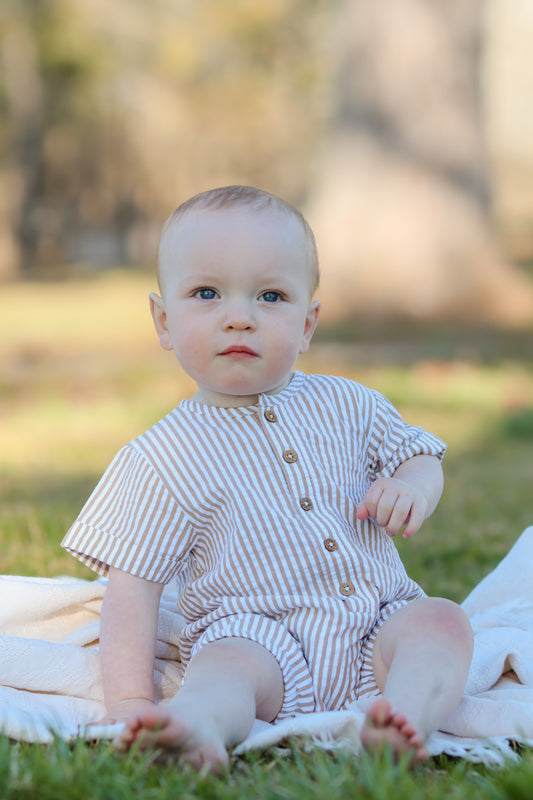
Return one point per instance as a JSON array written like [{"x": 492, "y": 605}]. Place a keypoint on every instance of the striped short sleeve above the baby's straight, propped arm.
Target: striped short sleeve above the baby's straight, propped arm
[{"x": 130, "y": 522}]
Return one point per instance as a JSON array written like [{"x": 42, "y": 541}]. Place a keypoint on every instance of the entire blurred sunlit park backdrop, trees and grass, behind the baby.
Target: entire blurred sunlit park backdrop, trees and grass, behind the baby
[{"x": 402, "y": 129}]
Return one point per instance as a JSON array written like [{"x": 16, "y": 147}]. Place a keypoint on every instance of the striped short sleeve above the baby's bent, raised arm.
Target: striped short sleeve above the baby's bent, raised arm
[{"x": 393, "y": 441}]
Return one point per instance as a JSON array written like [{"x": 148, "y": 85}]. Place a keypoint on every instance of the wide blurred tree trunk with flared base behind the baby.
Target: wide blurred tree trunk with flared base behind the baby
[{"x": 402, "y": 205}]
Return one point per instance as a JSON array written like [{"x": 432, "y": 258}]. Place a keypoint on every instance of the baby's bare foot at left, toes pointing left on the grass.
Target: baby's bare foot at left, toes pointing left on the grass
[{"x": 180, "y": 734}]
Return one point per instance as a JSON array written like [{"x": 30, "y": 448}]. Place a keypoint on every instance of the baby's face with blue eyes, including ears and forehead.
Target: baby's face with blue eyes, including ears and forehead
[{"x": 236, "y": 301}]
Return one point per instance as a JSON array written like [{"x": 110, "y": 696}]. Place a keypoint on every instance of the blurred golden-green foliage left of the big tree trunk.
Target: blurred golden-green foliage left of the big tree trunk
[{"x": 114, "y": 113}]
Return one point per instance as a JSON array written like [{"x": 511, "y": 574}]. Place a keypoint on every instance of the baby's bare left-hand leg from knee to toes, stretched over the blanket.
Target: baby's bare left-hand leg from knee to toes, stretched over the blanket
[{"x": 229, "y": 683}]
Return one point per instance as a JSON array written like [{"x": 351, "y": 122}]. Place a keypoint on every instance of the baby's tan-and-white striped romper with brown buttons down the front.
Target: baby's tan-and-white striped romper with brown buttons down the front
[{"x": 252, "y": 511}]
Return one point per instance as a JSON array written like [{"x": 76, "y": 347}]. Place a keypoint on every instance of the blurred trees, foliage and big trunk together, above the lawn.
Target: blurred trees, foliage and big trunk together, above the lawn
[{"x": 403, "y": 129}]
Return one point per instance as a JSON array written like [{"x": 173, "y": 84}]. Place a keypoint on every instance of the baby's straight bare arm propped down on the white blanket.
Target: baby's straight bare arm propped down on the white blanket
[{"x": 127, "y": 644}]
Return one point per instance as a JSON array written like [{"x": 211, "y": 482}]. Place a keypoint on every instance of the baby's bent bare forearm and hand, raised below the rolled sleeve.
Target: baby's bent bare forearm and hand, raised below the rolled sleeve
[{"x": 408, "y": 498}]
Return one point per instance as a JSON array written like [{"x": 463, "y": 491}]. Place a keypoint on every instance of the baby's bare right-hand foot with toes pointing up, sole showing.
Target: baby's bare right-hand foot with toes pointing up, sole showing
[{"x": 384, "y": 728}]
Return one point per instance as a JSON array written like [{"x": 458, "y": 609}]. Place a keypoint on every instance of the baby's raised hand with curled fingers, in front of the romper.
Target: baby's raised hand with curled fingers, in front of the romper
[{"x": 393, "y": 504}]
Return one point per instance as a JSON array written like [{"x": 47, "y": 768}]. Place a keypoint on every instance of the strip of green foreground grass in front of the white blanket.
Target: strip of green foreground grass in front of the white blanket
[{"x": 83, "y": 772}]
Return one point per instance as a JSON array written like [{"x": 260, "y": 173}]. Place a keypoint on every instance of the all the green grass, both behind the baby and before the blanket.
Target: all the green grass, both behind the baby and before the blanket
[{"x": 82, "y": 373}]
